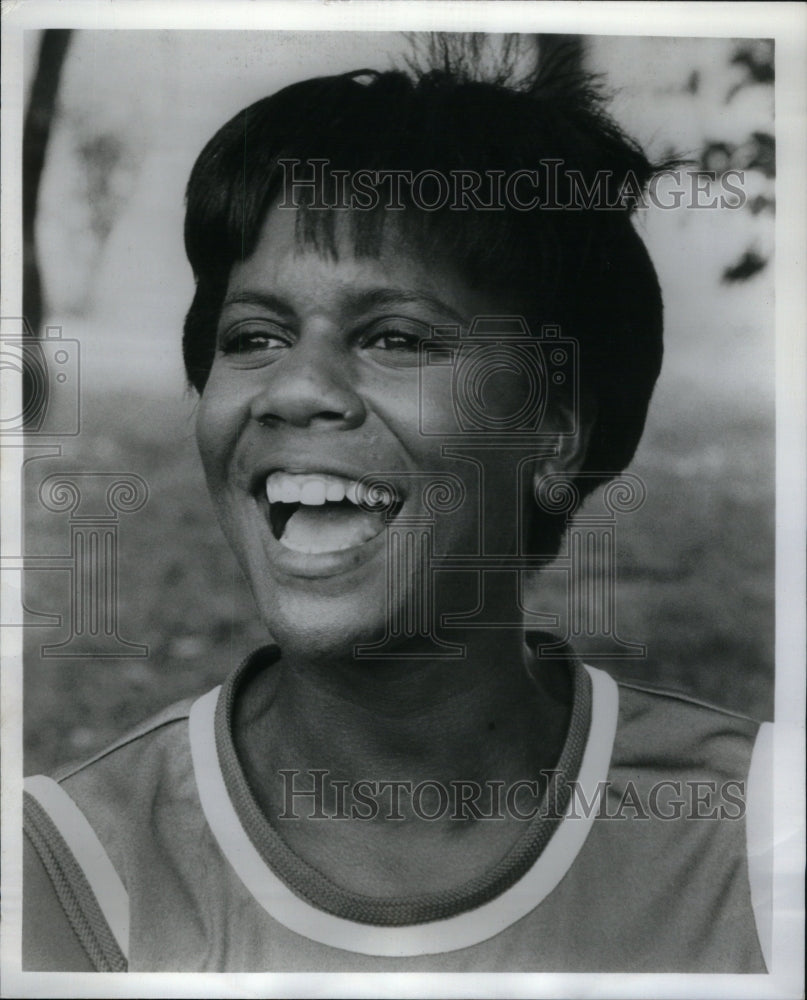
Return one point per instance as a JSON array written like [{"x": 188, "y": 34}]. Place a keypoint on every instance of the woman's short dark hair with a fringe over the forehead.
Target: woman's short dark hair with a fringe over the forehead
[{"x": 584, "y": 267}]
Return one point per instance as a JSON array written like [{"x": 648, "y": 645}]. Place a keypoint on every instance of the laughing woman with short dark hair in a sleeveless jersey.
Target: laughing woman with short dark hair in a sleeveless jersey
[{"x": 396, "y": 396}]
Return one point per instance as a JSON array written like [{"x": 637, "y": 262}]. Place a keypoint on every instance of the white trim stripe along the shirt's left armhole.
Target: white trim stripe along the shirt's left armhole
[{"x": 88, "y": 853}]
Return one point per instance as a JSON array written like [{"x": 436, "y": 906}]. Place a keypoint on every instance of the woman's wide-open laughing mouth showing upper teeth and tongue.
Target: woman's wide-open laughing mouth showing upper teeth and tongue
[{"x": 319, "y": 512}]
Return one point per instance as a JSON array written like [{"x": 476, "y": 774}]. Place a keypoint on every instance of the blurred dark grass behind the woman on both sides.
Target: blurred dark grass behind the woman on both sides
[{"x": 695, "y": 570}]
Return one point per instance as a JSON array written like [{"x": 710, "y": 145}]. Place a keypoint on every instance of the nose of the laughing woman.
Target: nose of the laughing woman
[{"x": 311, "y": 386}]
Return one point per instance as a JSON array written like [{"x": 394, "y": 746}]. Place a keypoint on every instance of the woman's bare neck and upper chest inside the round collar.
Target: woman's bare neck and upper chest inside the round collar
[{"x": 481, "y": 720}]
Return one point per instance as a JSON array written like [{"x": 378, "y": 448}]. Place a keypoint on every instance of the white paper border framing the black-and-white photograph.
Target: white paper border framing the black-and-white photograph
[{"x": 786, "y": 23}]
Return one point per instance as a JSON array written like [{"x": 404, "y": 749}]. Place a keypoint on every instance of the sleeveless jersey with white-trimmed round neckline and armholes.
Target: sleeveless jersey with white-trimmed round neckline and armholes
[{"x": 154, "y": 856}]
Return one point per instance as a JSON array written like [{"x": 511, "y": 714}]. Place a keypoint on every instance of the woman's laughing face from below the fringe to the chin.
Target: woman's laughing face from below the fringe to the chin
[{"x": 314, "y": 385}]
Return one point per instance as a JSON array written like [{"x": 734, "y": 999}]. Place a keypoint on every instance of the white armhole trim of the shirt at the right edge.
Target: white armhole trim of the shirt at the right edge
[{"x": 759, "y": 837}]
